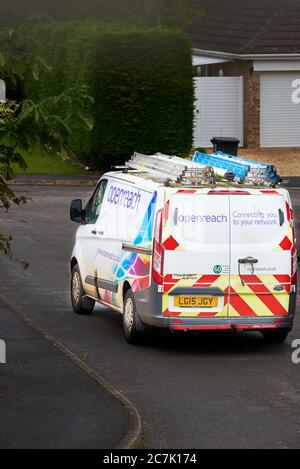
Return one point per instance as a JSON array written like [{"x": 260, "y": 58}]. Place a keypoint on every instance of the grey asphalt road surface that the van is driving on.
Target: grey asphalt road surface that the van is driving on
[{"x": 207, "y": 391}]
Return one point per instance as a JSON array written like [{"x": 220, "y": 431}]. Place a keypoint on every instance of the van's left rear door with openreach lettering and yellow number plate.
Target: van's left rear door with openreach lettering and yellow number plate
[{"x": 196, "y": 255}]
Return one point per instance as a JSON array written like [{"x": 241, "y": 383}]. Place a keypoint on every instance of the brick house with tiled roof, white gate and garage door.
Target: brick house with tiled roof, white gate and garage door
[{"x": 247, "y": 62}]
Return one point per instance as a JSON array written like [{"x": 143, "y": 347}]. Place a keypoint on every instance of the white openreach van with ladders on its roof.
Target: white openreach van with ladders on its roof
[{"x": 187, "y": 246}]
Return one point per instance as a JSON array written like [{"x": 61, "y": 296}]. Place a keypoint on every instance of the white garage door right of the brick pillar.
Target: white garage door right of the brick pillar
[{"x": 280, "y": 109}]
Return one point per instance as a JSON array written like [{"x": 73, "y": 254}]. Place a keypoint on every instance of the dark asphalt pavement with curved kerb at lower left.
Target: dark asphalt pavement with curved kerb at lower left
[{"x": 49, "y": 402}]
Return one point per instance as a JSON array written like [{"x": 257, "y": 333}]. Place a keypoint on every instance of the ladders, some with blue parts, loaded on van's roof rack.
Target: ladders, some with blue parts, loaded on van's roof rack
[{"x": 204, "y": 169}]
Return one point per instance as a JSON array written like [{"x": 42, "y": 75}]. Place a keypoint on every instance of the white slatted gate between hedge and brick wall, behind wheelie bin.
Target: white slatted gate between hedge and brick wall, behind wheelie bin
[{"x": 218, "y": 110}]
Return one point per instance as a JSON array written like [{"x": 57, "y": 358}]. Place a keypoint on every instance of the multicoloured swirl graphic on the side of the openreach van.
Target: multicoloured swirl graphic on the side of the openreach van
[{"x": 133, "y": 266}]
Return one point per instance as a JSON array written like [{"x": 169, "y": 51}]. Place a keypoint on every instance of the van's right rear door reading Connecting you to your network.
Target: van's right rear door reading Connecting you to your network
[{"x": 261, "y": 239}]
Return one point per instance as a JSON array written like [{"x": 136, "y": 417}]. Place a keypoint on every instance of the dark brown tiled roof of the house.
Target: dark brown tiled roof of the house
[{"x": 261, "y": 27}]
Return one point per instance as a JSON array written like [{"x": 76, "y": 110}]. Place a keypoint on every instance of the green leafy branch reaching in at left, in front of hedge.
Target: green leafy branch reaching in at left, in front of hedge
[{"x": 39, "y": 128}]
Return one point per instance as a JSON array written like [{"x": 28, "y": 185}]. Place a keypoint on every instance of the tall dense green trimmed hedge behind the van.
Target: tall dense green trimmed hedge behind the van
[{"x": 141, "y": 80}]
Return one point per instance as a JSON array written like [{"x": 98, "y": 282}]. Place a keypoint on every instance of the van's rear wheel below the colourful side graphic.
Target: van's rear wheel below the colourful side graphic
[{"x": 134, "y": 330}]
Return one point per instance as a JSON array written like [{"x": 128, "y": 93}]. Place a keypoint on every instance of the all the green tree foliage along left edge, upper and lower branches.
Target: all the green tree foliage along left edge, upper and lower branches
[{"x": 33, "y": 127}]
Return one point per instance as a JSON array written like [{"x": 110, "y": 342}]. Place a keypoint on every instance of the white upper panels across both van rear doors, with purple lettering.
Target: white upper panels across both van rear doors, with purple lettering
[{"x": 197, "y": 219}]
